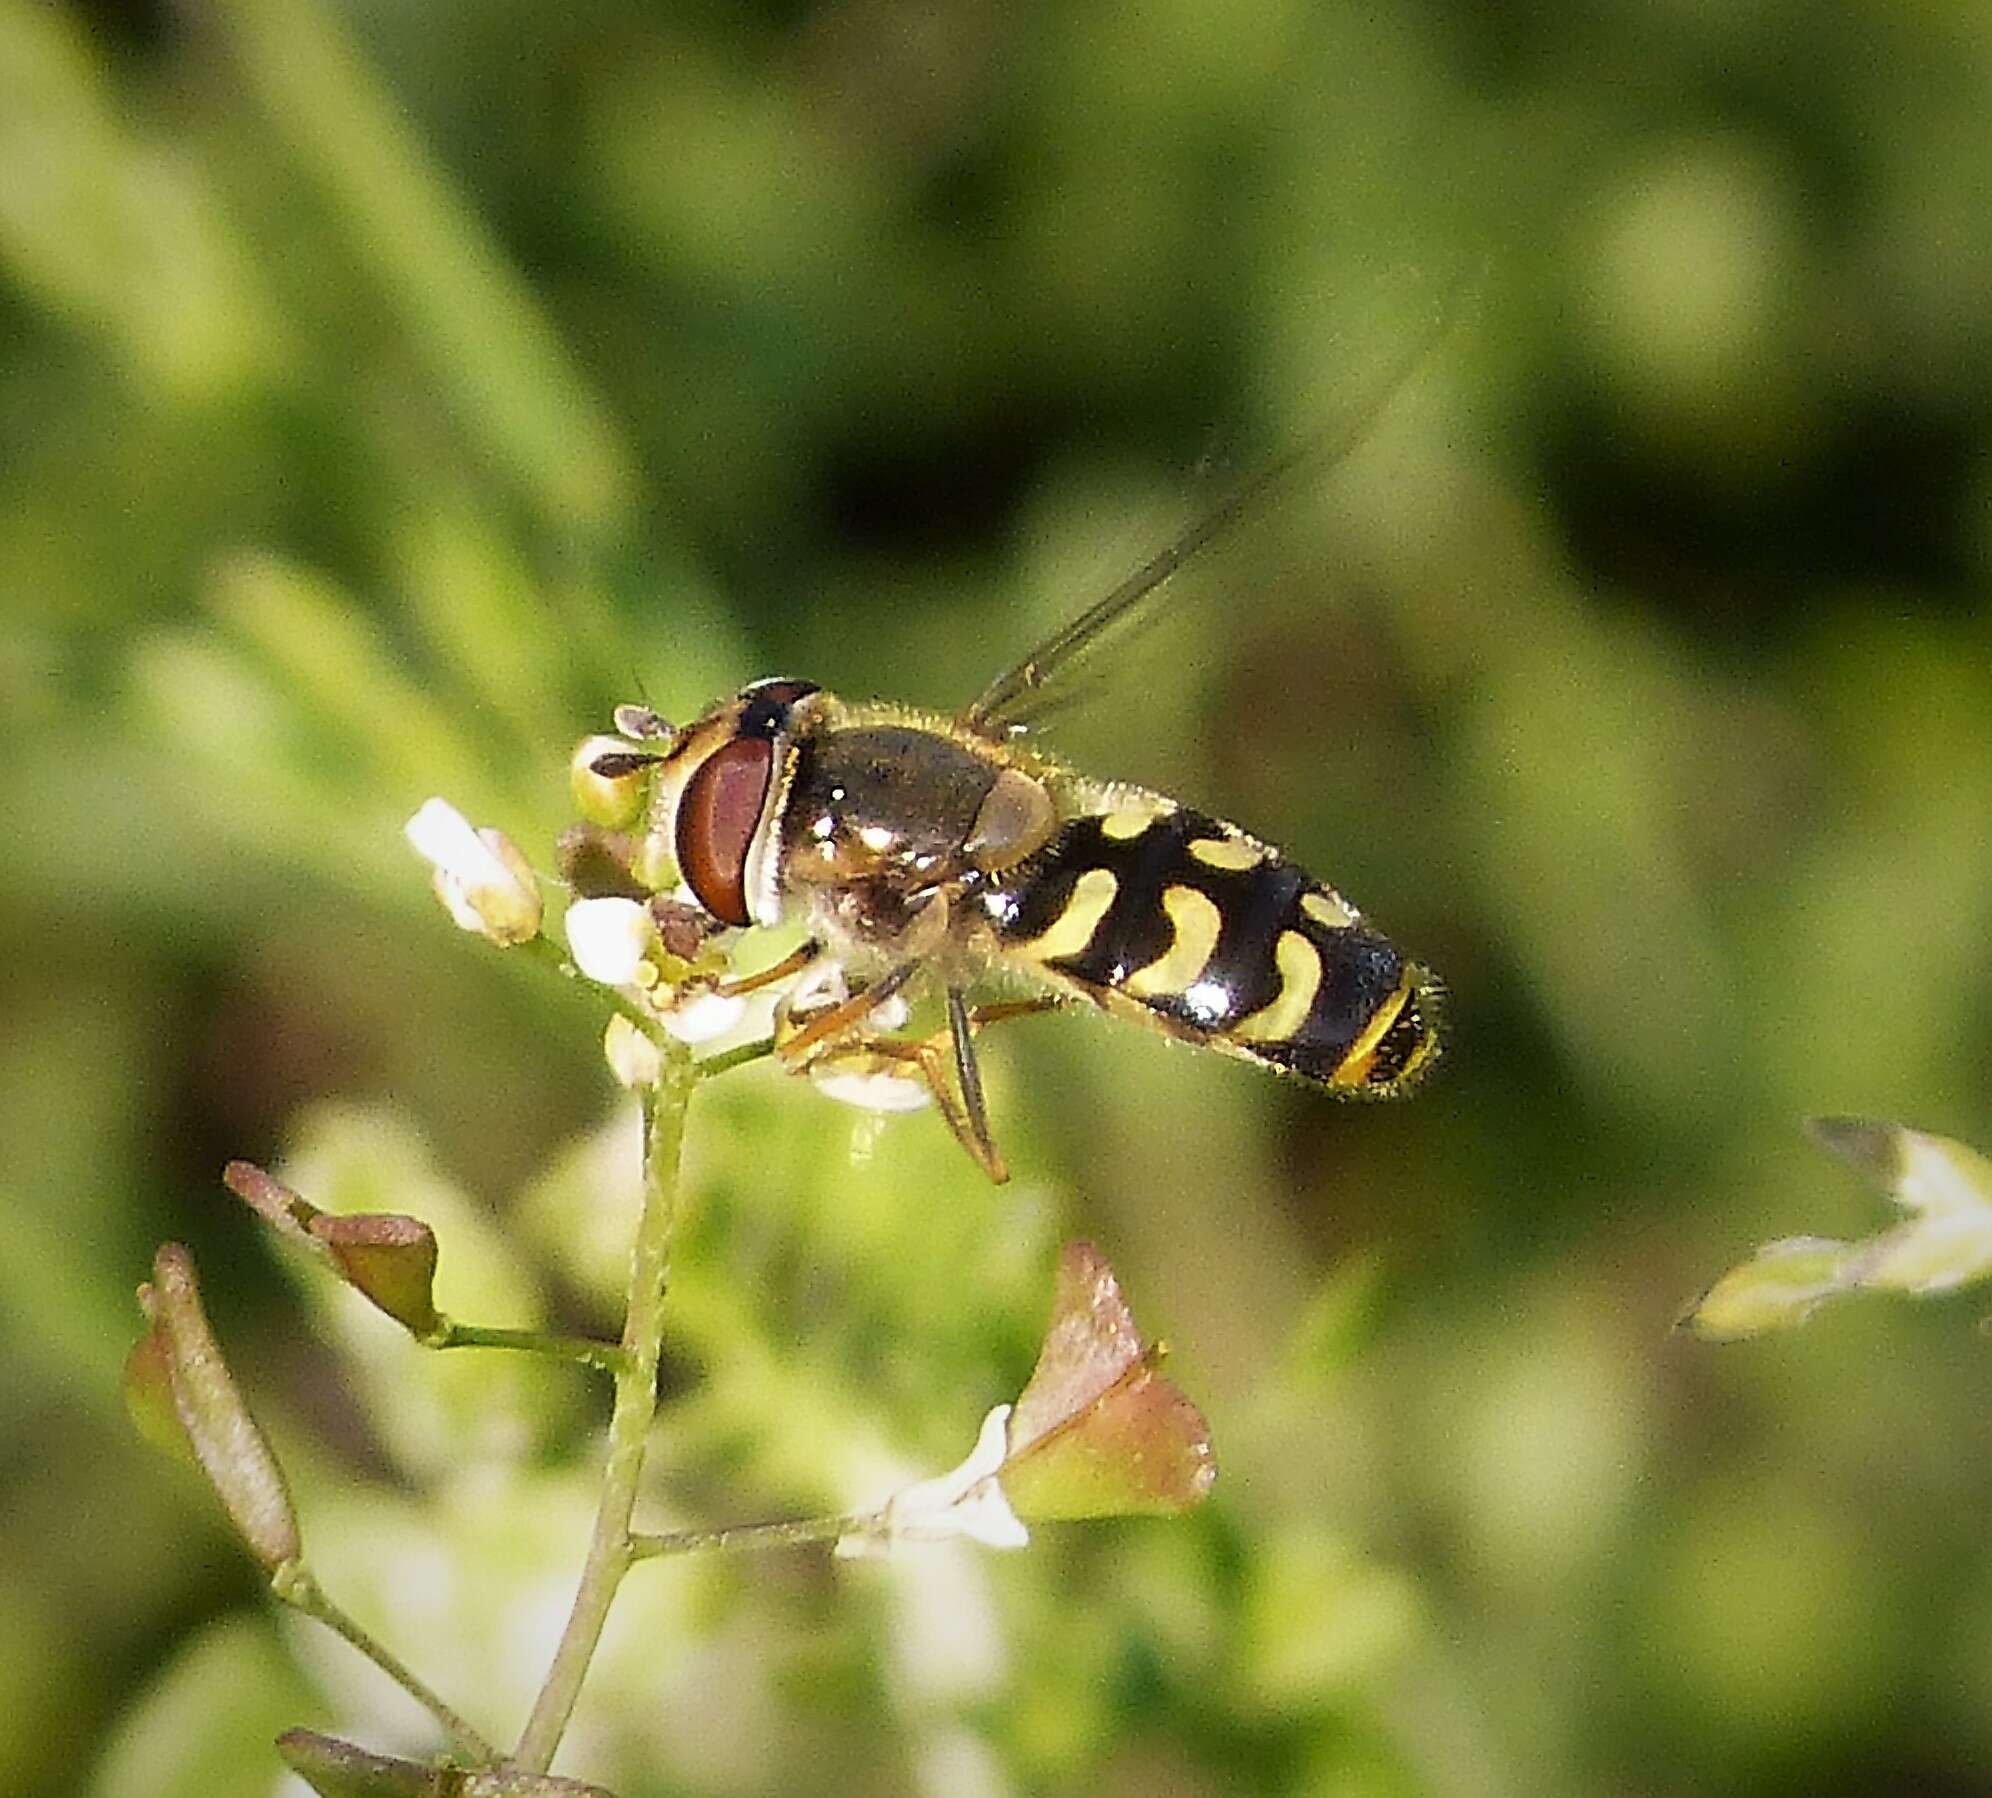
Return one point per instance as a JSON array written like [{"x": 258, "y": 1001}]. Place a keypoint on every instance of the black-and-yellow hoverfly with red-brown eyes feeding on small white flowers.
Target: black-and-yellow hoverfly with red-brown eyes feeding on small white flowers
[{"x": 929, "y": 851}]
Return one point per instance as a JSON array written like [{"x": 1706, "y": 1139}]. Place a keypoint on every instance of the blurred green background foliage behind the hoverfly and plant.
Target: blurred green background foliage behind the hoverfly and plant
[{"x": 387, "y": 391}]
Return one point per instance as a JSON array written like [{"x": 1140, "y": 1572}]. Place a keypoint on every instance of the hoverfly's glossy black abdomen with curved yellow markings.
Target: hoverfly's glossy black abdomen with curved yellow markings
[{"x": 1224, "y": 943}]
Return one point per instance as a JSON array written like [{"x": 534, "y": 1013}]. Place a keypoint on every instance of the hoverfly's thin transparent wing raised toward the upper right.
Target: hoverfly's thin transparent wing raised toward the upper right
[{"x": 1061, "y": 670}]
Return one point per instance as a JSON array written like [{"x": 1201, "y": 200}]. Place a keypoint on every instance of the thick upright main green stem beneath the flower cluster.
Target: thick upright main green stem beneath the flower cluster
[{"x": 636, "y": 1405}]
